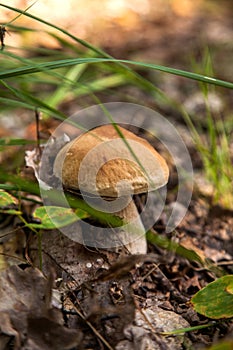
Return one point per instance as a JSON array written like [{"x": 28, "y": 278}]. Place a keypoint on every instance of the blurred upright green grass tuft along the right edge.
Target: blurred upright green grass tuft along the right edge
[{"x": 214, "y": 144}]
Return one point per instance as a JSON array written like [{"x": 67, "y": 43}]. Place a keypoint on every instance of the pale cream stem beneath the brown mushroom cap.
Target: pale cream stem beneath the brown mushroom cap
[{"x": 131, "y": 236}]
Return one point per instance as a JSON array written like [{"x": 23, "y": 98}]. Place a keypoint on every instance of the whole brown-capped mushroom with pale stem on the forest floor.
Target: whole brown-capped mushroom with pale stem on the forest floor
[{"x": 106, "y": 166}]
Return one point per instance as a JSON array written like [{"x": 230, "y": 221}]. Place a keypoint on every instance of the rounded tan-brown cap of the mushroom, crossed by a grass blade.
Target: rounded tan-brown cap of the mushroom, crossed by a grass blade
[{"x": 104, "y": 146}]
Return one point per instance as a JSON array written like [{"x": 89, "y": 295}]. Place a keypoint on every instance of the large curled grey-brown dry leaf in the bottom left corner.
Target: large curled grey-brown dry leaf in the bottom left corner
[{"x": 26, "y": 313}]
